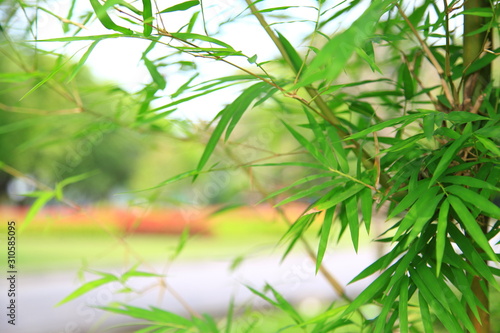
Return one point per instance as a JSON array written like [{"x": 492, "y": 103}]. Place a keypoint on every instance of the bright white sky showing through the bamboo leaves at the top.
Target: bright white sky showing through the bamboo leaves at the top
[{"x": 119, "y": 60}]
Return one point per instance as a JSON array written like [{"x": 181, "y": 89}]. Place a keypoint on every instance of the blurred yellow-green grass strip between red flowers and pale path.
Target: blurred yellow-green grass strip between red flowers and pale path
[{"x": 68, "y": 242}]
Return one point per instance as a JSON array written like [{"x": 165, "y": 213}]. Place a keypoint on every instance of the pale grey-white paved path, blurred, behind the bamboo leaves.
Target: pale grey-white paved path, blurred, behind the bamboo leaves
[{"x": 206, "y": 286}]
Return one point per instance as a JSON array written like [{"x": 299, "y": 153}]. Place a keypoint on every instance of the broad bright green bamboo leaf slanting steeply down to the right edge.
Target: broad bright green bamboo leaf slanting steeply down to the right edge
[{"x": 471, "y": 226}]
